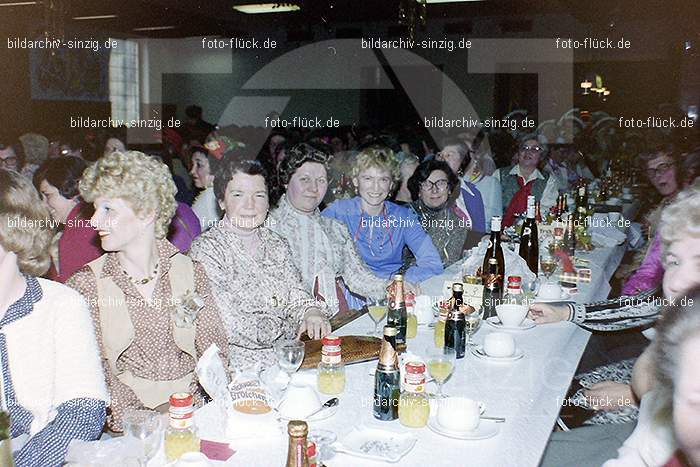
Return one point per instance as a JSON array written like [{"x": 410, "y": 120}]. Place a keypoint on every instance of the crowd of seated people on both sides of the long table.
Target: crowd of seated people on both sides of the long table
[{"x": 114, "y": 286}]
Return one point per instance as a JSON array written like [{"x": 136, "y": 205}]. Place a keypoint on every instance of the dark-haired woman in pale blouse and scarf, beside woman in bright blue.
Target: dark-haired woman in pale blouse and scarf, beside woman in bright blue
[{"x": 321, "y": 247}]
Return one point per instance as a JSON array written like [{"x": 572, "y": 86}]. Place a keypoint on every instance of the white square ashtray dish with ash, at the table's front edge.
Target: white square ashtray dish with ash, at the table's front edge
[{"x": 373, "y": 443}]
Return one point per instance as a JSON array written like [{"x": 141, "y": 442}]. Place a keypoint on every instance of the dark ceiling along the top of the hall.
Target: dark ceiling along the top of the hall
[{"x": 217, "y": 17}]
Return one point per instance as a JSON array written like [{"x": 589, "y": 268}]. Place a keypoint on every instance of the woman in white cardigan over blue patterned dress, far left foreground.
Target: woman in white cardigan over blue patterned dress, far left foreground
[{"x": 52, "y": 381}]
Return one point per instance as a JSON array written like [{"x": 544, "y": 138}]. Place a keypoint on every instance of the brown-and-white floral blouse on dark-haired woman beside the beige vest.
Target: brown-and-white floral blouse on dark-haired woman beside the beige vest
[{"x": 260, "y": 293}]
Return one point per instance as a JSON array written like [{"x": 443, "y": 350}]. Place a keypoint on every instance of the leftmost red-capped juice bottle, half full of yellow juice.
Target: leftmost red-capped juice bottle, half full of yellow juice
[{"x": 181, "y": 435}]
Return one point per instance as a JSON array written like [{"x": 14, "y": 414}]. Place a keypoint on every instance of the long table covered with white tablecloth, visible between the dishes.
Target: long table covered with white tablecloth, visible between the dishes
[{"x": 527, "y": 392}]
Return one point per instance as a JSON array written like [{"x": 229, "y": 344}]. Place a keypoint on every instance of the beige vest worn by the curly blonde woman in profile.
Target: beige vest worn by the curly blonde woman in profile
[{"x": 118, "y": 330}]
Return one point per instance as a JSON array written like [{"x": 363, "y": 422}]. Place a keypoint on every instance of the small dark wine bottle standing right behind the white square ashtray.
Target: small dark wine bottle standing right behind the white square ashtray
[{"x": 387, "y": 379}]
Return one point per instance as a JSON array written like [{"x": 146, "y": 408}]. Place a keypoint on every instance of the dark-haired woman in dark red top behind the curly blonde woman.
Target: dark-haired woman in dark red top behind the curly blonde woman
[{"x": 76, "y": 244}]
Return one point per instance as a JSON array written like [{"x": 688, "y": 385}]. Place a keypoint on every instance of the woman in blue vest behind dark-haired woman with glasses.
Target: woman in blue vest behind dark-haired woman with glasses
[{"x": 470, "y": 203}]
